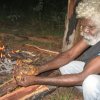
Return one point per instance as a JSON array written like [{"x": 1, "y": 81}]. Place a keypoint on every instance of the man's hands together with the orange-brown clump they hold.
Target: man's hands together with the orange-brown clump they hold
[{"x": 24, "y": 73}]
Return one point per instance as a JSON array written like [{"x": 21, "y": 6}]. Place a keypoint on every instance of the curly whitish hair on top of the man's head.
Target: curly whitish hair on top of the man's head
[{"x": 89, "y": 9}]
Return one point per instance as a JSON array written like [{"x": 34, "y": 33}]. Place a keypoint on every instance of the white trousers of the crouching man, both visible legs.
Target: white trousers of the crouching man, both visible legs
[{"x": 90, "y": 86}]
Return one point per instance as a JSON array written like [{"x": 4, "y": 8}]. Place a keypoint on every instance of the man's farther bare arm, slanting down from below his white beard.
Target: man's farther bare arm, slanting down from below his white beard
[{"x": 65, "y": 57}]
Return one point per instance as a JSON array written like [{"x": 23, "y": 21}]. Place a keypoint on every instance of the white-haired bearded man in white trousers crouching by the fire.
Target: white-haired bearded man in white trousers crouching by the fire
[{"x": 74, "y": 72}]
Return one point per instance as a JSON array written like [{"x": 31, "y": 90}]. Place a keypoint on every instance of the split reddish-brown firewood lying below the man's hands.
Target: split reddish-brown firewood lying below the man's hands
[{"x": 11, "y": 91}]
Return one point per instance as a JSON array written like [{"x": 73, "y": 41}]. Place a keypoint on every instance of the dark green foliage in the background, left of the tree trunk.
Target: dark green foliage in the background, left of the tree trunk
[{"x": 42, "y": 14}]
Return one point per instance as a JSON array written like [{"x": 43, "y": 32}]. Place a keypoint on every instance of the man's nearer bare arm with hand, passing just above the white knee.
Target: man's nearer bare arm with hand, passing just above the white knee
[{"x": 93, "y": 67}]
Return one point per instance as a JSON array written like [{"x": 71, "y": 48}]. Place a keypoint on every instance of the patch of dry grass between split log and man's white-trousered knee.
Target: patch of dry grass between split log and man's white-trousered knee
[{"x": 64, "y": 93}]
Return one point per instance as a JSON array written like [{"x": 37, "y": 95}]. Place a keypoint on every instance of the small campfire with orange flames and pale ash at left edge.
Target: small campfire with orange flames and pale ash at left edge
[{"x": 8, "y": 59}]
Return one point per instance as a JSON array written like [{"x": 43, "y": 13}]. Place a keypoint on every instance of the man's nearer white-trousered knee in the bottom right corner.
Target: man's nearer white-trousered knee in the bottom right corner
[{"x": 91, "y": 87}]
